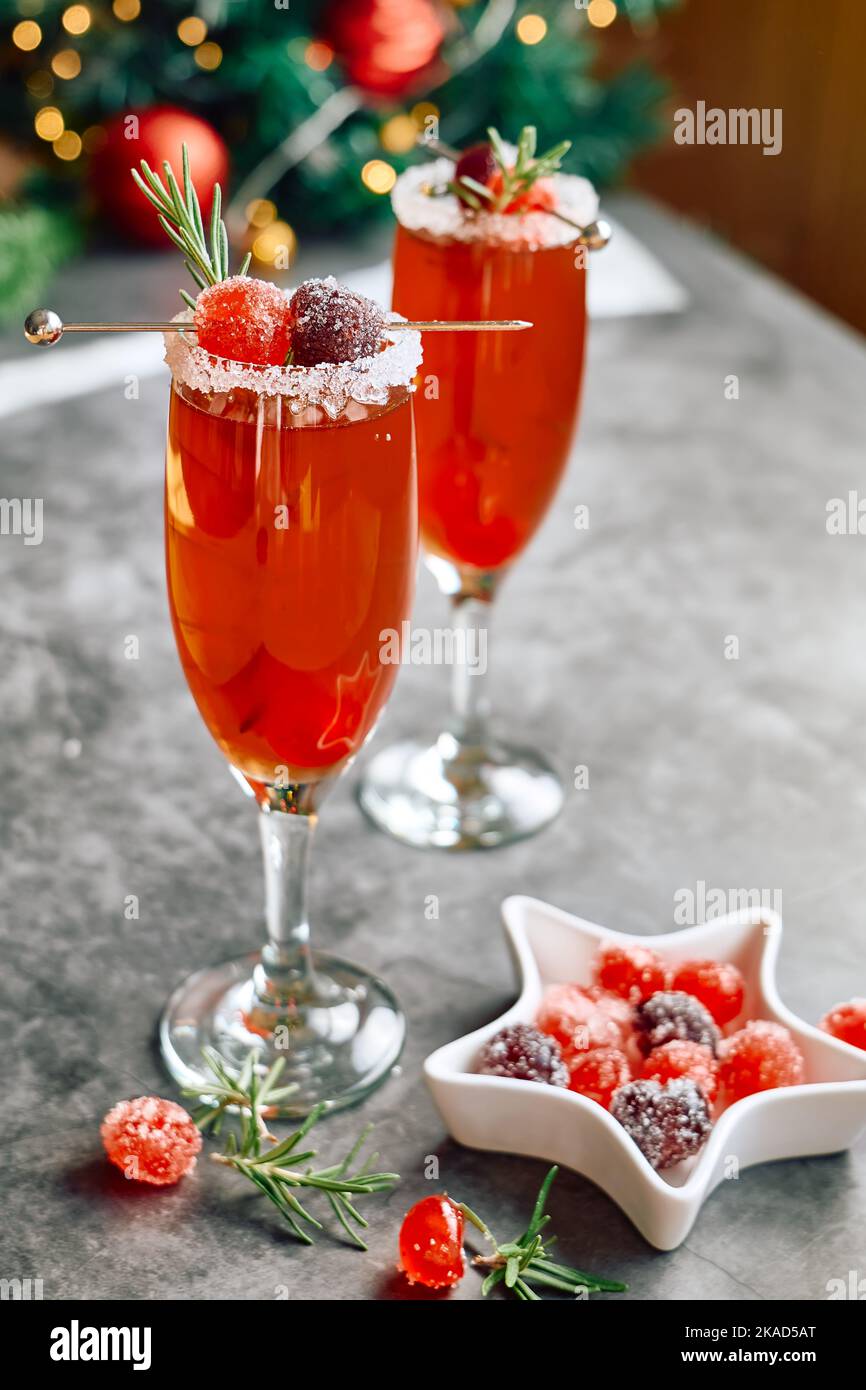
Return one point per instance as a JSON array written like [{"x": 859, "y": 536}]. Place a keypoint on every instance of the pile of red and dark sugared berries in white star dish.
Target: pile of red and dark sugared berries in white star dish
[{"x": 657, "y": 1046}]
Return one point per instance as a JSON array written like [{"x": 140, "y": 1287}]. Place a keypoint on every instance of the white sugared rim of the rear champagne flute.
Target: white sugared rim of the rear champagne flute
[{"x": 446, "y": 216}]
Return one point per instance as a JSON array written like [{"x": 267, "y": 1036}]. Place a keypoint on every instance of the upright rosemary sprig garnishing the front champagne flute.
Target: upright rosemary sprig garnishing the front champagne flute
[{"x": 180, "y": 216}]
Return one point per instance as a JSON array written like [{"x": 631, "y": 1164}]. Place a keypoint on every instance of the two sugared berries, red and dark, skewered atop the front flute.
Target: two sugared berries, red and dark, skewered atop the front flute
[{"x": 254, "y": 322}]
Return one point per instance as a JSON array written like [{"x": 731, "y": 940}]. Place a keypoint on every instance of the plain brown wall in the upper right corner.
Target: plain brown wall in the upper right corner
[{"x": 801, "y": 213}]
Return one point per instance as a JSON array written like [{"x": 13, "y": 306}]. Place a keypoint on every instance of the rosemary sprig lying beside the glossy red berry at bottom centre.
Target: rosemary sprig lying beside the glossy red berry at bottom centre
[{"x": 519, "y": 1264}]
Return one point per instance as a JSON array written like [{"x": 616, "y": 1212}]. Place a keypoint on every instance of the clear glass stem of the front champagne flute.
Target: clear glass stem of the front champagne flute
[{"x": 286, "y": 974}]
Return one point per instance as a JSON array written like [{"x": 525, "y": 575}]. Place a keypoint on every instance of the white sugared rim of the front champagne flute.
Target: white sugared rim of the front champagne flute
[{"x": 330, "y": 386}]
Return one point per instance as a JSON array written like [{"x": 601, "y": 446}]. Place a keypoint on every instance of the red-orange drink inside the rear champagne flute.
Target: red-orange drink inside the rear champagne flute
[{"x": 497, "y": 426}]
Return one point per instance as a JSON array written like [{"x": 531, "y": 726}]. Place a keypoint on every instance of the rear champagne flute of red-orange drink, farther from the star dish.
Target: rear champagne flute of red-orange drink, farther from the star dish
[{"x": 496, "y": 419}]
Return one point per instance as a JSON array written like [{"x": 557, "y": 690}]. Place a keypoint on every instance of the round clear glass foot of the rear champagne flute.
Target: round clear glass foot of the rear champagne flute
[{"x": 455, "y": 797}]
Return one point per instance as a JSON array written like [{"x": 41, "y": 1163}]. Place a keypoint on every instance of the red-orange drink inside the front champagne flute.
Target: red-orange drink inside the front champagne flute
[{"x": 291, "y": 546}]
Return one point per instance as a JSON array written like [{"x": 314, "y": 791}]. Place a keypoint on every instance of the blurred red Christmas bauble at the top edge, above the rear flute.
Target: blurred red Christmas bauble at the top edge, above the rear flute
[{"x": 384, "y": 45}]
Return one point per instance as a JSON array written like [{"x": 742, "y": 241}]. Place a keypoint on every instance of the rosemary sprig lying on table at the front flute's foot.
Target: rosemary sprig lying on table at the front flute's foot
[{"x": 279, "y": 1174}]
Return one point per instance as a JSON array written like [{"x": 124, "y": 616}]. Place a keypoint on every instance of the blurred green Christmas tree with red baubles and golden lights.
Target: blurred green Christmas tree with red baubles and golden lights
[{"x": 319, "y": 104}]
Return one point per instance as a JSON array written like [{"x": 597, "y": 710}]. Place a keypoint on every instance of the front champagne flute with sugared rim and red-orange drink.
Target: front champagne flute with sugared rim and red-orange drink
[{"x": 291, "y": 544}]
